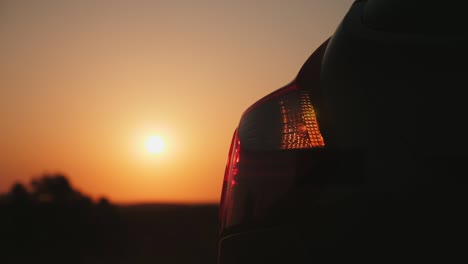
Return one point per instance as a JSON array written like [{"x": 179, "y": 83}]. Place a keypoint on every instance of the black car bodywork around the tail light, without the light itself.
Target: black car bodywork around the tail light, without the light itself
[{"x": 392, "y": 110}]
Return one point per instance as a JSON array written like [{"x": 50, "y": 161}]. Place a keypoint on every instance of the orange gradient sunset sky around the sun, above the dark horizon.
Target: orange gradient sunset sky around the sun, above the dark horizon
[{"x": 83, "y": 84}]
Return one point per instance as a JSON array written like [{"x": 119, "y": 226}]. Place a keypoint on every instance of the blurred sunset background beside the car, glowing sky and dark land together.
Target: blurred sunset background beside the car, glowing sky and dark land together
[{"x": 116, "y": 118}]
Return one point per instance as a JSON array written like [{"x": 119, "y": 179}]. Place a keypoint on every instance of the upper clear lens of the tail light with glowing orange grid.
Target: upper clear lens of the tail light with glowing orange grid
[{"x": 285, "y": 119}]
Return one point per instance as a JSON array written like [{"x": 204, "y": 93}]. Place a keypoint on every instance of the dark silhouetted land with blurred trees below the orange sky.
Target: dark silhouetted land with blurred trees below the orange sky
[{"x": 60, "y": 225}]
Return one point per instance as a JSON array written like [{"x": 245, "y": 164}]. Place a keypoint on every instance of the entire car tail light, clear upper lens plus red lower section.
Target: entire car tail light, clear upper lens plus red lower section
[{"x": 262, "y": 158}]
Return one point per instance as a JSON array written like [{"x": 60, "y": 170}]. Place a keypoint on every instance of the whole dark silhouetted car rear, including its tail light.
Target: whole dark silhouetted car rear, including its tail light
[{"x": 364, "y": 152}]
